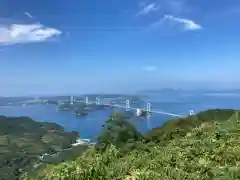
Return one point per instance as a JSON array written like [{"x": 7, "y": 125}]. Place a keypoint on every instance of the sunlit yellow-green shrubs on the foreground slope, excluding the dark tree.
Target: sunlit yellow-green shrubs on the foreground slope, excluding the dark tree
[{"x": 210, "y": 151}]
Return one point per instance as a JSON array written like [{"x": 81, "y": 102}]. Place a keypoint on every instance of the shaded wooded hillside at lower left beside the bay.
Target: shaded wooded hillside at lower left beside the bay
[{"x": 23, "y": 140}]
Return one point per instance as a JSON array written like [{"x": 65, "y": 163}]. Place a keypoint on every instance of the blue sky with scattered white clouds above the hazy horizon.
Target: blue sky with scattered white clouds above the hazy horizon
[{"x": 80, "y": 46}]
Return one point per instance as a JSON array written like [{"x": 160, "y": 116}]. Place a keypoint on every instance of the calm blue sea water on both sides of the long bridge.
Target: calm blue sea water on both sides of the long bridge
[{"x": 90, "y": 126}]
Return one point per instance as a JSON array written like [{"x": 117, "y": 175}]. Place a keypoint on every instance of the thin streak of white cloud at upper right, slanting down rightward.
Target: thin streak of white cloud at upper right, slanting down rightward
[{"x": 187, "y": 23}]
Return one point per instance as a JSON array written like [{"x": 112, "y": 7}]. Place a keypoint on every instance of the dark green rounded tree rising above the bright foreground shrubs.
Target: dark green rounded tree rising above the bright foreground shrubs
[{"x": 119, "y": 132}]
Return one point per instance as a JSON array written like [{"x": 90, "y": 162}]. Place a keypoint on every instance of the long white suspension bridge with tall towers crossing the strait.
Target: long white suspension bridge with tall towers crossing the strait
[{"x": 128, "y": 107}]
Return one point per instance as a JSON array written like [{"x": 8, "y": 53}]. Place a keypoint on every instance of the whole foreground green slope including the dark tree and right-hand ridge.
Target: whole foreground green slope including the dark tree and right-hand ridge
[{"x": 201, "y": 147}]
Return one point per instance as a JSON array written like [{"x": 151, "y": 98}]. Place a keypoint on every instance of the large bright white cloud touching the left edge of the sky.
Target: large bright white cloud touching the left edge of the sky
[{"x": 26, "y": 33}]
